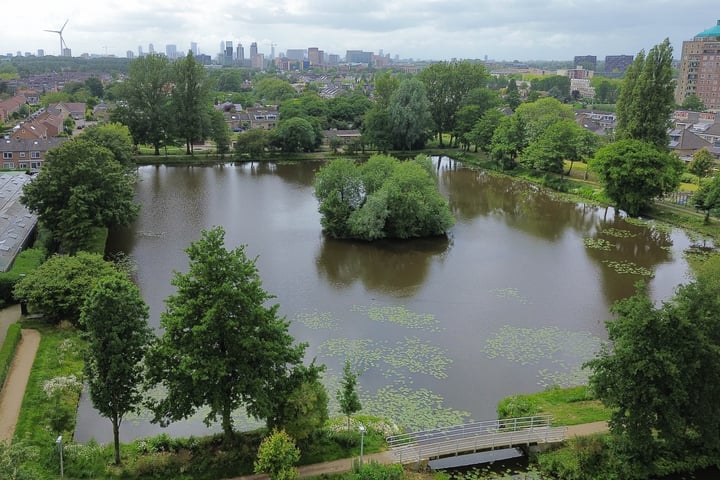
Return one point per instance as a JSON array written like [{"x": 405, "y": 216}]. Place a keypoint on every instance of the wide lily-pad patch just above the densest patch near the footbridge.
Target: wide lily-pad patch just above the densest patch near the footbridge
[{"x": 411, "y": 354}]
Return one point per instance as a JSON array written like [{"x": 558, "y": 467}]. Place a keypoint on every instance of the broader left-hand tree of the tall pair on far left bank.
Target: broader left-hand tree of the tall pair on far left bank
[{"x": 147, "y": 93}]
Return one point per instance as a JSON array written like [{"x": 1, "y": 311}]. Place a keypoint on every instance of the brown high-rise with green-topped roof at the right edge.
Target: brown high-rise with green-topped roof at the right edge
[{"x": 700, "y": 69}]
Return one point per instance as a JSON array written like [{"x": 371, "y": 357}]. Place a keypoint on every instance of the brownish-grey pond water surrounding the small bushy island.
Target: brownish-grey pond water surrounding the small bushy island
[{"x": 513, "y": 300}]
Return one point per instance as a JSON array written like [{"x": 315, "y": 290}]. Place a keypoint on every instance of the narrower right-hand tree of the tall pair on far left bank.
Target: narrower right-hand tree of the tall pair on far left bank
[{"x": 190, "y": 97}]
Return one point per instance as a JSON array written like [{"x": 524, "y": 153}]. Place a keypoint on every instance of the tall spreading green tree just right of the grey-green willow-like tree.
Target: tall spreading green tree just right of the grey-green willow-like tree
[{"x": 447, "y": 86}]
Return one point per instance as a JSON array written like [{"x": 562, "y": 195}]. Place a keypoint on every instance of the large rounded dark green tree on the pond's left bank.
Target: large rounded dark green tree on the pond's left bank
[{"x": 81, "y": 187}]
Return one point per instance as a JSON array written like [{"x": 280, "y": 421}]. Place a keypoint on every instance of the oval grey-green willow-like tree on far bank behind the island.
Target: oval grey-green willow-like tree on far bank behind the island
[{"x": 409, "y": 115}]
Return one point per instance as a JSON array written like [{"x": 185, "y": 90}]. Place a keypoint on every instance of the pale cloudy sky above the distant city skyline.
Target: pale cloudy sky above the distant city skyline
[{"x": 419, "y": 29}]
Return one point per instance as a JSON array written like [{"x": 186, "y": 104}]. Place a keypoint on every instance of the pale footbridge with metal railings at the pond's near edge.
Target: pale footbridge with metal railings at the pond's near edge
[{"x": 474, "y": 437}]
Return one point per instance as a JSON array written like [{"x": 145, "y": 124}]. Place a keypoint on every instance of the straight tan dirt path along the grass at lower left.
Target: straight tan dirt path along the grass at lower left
[{"x": 12, "y": 395}]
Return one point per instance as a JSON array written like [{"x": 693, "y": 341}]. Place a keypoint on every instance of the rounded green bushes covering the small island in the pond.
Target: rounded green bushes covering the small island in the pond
[{"x": 384, "y": 198}]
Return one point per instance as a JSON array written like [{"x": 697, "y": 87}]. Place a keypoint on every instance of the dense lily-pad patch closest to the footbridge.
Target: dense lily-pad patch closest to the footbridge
[{"x": 413, "y": 410}]
